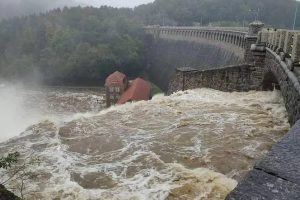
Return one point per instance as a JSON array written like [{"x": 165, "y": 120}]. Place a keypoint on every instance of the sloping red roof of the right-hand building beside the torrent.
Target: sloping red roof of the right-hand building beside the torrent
[{"x": 138, "y": 90}]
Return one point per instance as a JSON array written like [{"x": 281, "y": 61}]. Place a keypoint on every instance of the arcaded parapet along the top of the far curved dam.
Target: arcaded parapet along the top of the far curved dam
[{"x": 235, "y": 36}]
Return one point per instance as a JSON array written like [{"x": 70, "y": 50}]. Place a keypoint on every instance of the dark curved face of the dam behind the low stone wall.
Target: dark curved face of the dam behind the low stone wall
[{"x": 164, "y": 54}]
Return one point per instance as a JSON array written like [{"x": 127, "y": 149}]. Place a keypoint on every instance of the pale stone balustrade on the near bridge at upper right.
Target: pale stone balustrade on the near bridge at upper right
[{"x": 285, "y": 43}]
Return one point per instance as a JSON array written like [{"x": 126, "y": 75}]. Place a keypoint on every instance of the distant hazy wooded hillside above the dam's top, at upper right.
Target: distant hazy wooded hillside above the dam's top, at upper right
[{"x": 218, "y": 12}]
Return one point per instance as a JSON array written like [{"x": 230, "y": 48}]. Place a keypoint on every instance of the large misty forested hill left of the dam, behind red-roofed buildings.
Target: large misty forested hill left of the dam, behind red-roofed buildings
[{"x": 71, "y": 45}]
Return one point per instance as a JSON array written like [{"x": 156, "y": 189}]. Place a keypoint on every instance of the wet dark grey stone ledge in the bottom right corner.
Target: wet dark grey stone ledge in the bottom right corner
[{"x": 277, "y": 176}]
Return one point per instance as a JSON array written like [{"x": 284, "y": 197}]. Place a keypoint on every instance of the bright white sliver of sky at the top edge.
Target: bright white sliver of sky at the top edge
[{"x": 114, "y": 3}]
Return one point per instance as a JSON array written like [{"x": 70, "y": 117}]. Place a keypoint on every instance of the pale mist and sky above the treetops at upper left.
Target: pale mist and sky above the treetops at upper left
[{"x": 12, "y": 8}]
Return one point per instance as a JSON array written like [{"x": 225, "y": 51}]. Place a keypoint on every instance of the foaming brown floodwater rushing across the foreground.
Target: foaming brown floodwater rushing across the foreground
[{"x": 195, "y": 144}]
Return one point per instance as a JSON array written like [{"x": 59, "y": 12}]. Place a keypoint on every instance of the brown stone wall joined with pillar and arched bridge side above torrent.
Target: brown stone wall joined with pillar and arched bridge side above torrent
[{"x": 264, "y": 71}]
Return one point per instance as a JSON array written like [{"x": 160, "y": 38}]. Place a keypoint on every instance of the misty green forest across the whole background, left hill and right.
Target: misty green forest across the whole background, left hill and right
[{"x": 77, "y": 45}]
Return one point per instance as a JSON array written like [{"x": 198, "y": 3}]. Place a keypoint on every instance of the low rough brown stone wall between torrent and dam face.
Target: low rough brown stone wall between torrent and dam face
[{"x": 242, "y": 77}]
